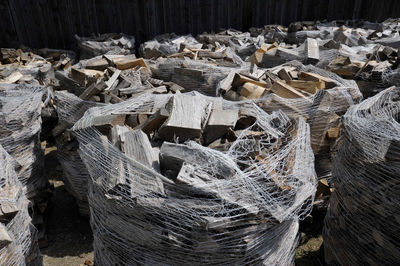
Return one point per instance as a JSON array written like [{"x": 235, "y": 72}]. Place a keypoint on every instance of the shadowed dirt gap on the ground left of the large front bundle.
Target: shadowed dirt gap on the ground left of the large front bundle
[{"x": 69, "y": 237}]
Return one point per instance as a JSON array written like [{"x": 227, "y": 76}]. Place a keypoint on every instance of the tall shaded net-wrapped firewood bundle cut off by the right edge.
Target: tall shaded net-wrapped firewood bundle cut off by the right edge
[{"x": 362, "y": 223}]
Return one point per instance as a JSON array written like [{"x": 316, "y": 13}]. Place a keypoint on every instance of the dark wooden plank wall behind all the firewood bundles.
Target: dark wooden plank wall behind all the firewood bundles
[{"x": 53, "y": 23}]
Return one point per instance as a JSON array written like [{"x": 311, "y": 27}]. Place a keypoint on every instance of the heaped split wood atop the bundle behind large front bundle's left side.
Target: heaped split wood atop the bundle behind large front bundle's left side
[{"x": 111, "y": 79}]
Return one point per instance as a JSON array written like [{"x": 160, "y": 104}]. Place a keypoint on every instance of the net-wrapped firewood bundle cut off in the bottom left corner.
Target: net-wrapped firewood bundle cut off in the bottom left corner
[{"x": 18, "y": 237}]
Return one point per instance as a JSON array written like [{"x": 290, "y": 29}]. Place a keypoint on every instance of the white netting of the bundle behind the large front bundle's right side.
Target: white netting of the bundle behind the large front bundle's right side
[{"x": 322, "y": 111}]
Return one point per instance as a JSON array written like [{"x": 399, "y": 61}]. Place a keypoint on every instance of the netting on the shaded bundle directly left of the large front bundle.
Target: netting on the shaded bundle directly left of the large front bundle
[{"x": 70, "y": 109}]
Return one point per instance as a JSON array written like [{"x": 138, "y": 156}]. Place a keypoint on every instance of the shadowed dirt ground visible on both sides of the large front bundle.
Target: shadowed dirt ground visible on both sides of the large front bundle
[{"x": 69, "y": 237}]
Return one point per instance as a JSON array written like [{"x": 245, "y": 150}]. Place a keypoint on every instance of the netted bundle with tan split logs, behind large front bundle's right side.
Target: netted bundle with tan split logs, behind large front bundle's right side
[{"x": 318, "y": 96}]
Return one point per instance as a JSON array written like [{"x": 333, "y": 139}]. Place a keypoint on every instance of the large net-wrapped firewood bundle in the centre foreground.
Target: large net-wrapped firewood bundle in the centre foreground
[{"x": 201, "y": 180}]
